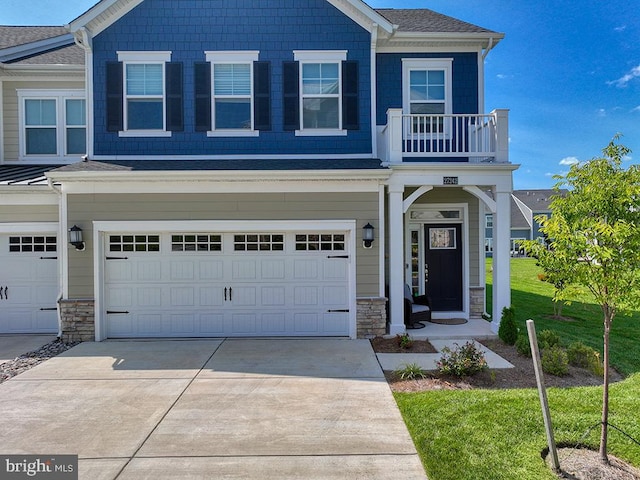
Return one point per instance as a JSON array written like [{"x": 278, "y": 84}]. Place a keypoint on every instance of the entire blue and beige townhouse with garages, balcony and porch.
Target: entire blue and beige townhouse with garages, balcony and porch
[{"x": 235, "y": 160}]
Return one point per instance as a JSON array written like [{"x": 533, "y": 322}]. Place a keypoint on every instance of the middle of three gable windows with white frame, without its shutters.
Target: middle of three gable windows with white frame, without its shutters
[{"x": 232, "y": 99}]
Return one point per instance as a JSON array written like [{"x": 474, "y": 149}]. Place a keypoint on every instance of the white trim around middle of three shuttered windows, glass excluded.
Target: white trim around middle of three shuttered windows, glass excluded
[{"x": 232, "y": 57}]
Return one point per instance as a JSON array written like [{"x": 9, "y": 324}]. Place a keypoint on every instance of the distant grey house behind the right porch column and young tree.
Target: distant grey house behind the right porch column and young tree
[{"x": 526, "y": 205}]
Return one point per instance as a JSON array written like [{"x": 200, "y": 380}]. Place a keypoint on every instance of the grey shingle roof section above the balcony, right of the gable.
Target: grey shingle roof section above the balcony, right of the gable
[{"x": 427, "y": 21}]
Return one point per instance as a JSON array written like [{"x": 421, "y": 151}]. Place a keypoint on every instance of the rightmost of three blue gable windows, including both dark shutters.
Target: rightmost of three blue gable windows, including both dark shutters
[{"x": 321, "y": 93}]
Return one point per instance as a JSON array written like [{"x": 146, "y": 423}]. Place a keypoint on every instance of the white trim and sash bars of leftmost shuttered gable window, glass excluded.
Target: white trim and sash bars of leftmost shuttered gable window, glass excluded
[{"x": 137, "y": 57}]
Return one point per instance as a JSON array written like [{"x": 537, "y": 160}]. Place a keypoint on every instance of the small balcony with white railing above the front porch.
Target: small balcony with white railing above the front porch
[{"x": 472, "y": 138}]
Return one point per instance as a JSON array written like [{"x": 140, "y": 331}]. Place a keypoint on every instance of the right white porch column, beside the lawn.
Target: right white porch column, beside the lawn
[{"x": 501, "y": 256}]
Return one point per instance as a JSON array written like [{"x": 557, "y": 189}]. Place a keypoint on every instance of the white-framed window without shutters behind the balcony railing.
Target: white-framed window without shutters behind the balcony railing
[{"x": 427, "y": 93}]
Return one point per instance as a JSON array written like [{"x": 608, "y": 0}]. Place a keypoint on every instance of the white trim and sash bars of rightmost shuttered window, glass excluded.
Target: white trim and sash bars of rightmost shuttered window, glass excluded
[{"x": 320, "y": 56}]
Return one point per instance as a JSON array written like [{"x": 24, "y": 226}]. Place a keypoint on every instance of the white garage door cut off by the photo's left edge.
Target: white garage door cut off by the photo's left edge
[{"x": 28, "y": 283}]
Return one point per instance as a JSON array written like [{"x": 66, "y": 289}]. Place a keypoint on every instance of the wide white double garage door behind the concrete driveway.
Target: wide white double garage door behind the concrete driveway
[{"x": 229, "y": 284}]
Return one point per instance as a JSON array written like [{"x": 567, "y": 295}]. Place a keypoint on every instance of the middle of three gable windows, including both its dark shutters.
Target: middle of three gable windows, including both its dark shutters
[{"x": 233, "y": 94}]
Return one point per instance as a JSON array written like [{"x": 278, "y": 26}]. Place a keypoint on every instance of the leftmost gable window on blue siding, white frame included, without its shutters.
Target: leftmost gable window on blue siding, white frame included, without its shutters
[{"x": 144, "y": 90}]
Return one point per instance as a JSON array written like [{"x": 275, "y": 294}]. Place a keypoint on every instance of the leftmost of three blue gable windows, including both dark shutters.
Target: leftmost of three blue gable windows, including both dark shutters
[{"x": 144, "y": 95}]
